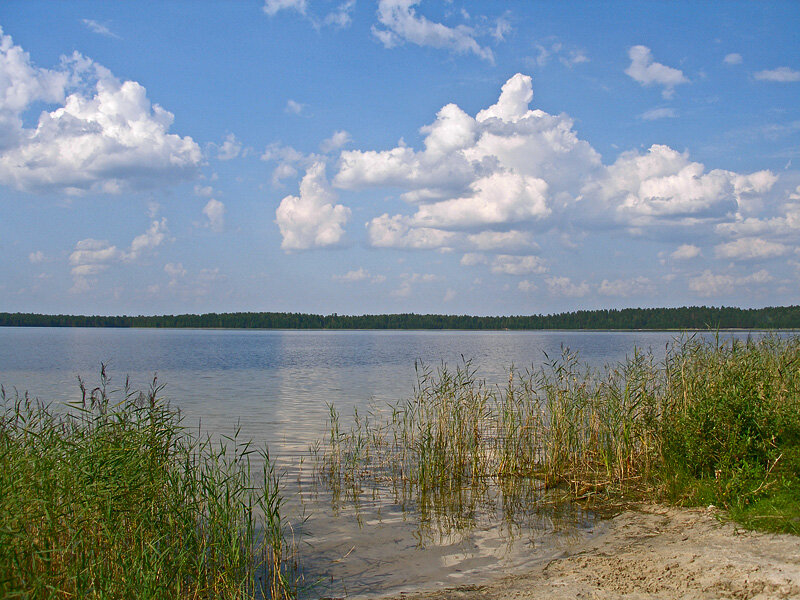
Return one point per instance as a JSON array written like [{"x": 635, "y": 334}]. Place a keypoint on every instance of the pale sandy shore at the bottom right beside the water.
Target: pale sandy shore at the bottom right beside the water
[{"x": 656, "y": 552}]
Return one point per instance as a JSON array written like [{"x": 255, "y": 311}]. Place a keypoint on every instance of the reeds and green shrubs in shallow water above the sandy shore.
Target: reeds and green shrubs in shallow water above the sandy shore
[{"x": 716, "y": 422}]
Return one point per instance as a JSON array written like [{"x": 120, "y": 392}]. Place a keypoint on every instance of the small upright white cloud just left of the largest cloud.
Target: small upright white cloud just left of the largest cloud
[{"x": 311, "y": 220}]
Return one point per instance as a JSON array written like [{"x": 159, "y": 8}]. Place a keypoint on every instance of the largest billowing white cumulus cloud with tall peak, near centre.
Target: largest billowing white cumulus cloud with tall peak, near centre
[{"x": 503, "y": 166}]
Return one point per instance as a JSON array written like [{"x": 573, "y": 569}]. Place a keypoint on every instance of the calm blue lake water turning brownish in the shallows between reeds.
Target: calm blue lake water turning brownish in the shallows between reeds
[{"x": 276, "y": 386}]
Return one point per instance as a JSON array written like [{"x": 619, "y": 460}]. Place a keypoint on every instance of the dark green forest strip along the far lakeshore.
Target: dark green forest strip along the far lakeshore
[{"x": 689, "y": 317}]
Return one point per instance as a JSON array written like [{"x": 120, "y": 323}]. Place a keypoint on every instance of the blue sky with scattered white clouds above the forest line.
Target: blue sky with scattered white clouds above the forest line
[{"x": 430, "y": 156}]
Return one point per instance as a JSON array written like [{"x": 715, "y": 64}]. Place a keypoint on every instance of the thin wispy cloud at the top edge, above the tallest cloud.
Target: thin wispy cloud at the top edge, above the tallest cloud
[{"x": 402, "y": 24}]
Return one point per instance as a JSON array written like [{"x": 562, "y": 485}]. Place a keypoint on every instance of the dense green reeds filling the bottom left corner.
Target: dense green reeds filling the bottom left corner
[{"x": 114, "y": 499}]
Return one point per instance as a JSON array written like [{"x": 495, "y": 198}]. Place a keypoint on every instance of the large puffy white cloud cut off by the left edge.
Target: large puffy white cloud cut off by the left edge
[{"x": 105, "y": 135}]
